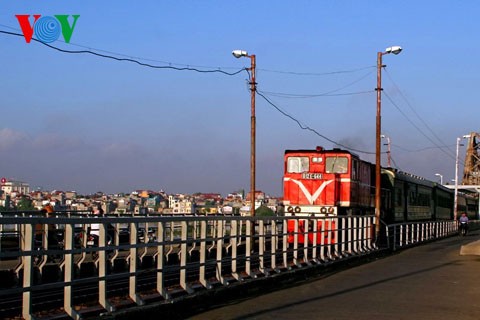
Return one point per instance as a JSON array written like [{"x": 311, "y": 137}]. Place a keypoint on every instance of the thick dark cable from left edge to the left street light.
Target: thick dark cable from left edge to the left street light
[{"x": 128, "y": 59}]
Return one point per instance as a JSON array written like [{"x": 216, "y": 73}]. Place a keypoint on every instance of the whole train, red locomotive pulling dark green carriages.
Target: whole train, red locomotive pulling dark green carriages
[{"x": 337, "y": 182}]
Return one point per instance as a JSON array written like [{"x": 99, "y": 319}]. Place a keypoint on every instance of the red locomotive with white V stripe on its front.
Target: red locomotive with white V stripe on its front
[{"x": 325, "y": 183}]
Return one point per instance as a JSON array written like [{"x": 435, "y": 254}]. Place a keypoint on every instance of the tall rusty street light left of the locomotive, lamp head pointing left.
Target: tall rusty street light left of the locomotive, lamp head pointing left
[{"x": 253, "y": 88}]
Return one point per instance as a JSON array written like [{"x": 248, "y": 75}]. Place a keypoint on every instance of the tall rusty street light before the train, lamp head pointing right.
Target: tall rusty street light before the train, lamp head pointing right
[{"x": 394, "y": 50}]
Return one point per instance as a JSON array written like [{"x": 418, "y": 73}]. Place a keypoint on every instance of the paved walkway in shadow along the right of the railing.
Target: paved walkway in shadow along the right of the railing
[{"x": 437, "y": 281}]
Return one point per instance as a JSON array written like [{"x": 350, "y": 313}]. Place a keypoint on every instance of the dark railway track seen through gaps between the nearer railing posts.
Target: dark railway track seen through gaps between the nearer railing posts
[{"x": 49, "y": 301}]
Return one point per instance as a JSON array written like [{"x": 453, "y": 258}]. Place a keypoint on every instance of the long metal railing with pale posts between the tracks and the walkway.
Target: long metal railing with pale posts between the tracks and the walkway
[{"x": 54, "y": 267}]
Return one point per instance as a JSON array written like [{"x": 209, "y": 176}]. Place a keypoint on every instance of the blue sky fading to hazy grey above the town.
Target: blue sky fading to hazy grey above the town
[{"x": 85, "y": 123}]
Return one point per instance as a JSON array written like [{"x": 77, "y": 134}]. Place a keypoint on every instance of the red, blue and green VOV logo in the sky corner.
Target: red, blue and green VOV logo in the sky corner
[{"x": 47, "y": 28}]
